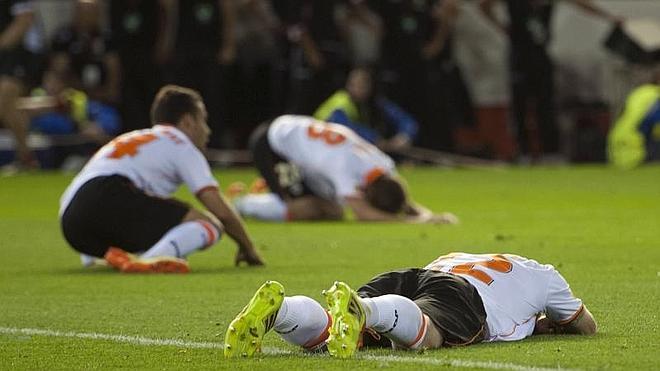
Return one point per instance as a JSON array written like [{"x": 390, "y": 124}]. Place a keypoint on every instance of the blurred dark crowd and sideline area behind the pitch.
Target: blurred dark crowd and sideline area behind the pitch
[{"x": 510, "y": 80}]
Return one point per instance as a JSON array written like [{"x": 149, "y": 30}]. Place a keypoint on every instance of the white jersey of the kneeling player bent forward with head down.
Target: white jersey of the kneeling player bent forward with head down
[{"x": 329, "y": 151}]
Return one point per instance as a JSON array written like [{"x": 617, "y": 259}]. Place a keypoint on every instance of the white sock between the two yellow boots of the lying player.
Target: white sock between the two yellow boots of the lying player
[{"x": 302, "y": 321}]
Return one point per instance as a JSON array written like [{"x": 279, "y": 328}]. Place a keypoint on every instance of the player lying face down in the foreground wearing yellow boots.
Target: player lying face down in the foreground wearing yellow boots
[{"x": 458, "y": 299}]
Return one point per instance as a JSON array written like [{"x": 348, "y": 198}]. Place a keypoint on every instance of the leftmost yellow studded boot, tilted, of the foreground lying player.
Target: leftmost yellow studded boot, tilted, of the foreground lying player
[{"x": 246, "y": 332}]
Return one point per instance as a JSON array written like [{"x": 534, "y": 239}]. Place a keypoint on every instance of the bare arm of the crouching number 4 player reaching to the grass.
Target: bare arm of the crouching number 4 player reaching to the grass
[{"x": 234, "y": 227}]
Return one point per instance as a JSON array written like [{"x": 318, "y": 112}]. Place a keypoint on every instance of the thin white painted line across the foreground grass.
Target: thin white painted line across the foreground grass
[{"x": 139, "y": 340}]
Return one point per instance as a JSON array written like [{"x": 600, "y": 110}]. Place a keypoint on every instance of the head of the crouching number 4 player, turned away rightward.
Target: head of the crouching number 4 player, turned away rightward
[{"x": 183, "y": 108}]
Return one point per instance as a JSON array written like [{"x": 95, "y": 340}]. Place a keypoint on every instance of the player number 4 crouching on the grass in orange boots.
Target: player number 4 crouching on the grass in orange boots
[{"x": 119, "y": 205}]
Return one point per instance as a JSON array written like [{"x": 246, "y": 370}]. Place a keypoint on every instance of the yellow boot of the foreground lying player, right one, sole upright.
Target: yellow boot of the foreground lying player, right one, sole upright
[{"x": 348, "y": 319}]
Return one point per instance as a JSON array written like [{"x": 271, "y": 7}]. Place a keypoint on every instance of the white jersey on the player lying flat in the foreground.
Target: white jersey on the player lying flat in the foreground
[{"x": 514, "y": 290}]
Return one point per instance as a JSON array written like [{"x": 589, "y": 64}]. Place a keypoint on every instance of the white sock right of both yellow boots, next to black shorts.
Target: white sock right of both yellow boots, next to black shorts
[{"x": 397, "y": 318}]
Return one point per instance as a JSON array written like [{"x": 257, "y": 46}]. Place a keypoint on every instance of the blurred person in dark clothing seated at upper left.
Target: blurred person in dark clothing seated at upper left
[{"x": 85, "y": 49}]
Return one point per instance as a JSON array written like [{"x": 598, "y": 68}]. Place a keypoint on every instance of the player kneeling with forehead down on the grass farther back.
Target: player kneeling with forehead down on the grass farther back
[{"x": 313, "y": 168}]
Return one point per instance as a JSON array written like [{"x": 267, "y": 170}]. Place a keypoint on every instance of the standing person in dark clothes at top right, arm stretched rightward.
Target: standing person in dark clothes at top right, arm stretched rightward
[{"x": 531, "y": 68}]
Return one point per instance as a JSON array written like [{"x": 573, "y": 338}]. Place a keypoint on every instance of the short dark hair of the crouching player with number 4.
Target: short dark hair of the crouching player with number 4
[{"x": 172, "y": 102}]
